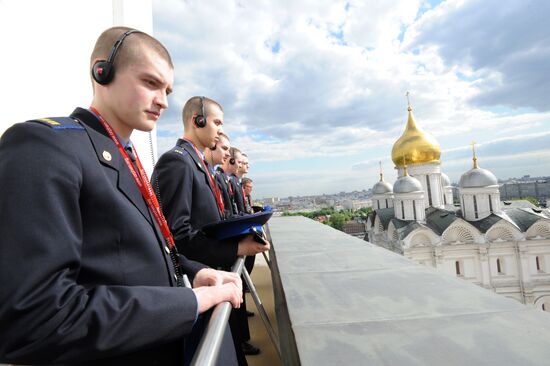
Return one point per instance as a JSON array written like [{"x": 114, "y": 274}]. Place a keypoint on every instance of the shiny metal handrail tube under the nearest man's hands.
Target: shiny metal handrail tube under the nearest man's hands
[{"x": 211, "y": 341}]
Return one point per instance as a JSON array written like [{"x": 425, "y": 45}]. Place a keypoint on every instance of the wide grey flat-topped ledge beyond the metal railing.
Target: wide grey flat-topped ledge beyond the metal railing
[{"x": 340, "y": 300}]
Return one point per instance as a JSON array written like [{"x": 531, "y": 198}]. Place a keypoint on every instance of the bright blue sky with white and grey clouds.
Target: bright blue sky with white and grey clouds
[{"x": 314, "y": 91}]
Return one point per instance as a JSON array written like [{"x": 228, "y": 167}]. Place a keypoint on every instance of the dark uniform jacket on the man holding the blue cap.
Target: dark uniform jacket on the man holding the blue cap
[{"x": 181, "y": 182}]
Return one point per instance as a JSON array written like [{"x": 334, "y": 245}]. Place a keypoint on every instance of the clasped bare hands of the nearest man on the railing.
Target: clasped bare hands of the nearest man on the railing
[{"x": 213, "y": 287}]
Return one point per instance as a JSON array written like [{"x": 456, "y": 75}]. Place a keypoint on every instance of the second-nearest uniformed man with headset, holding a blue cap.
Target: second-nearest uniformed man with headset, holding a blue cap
[{"x": 190, "y": 198}]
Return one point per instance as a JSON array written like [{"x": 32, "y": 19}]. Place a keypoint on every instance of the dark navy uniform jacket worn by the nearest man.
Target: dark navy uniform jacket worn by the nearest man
[{"x": 86, "y": 278}]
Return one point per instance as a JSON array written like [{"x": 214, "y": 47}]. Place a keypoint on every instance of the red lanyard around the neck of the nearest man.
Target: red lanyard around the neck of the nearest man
[{"x": 140, "y": 177}]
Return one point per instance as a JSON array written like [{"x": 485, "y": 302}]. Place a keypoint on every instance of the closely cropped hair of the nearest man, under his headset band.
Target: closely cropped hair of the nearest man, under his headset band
[{"x": 130, "y": 49}]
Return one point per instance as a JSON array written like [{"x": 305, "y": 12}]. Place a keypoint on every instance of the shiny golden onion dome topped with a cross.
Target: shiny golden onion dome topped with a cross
[{"x": 415, "y": 146}]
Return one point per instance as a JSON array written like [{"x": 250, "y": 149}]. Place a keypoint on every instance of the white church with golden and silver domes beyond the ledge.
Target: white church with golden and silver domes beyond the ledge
[{"x": 501, "y": 246}]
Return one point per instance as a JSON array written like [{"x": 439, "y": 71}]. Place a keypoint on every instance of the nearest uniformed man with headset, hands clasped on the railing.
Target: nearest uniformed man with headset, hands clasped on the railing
[{"x": 90, "y": 274}]
